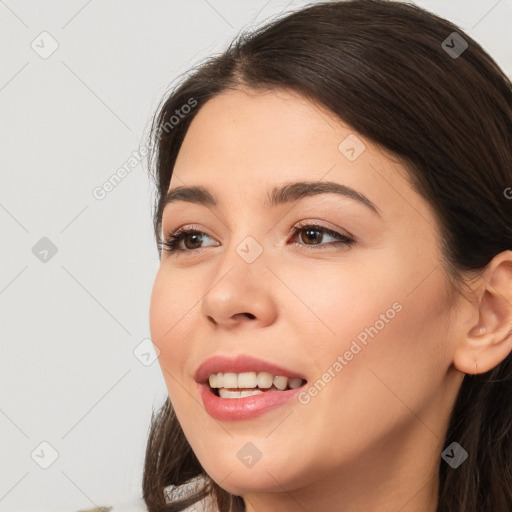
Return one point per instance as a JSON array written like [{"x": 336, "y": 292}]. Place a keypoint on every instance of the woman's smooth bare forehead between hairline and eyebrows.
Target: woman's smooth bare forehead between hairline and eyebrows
[{"x": 245, "y": 143}]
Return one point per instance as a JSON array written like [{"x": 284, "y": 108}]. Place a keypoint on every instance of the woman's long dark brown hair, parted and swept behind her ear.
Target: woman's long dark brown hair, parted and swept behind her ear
[{"x": 391, "y": 71}]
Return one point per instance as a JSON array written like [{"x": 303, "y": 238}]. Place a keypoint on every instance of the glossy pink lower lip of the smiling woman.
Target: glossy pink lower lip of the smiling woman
[{"x": 232, "y": 409}]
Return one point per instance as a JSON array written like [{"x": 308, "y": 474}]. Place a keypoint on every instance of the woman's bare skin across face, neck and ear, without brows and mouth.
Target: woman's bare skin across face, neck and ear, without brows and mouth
[{"x": 371, "y": 438}]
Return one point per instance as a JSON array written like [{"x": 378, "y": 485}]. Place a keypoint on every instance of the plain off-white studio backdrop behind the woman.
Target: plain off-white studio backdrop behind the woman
[{"x": 79, "y": 82}]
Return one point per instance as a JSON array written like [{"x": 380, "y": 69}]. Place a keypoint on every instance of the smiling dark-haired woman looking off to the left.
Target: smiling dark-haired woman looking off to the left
[{"x": 333, "y": 306}]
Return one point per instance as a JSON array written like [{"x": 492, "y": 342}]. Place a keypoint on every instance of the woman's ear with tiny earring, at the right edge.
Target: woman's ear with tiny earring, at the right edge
[{"x": 488, "y": 341}]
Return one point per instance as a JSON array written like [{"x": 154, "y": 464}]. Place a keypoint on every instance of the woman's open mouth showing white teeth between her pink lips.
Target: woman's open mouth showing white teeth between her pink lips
[{"x": 241, "y": 385}]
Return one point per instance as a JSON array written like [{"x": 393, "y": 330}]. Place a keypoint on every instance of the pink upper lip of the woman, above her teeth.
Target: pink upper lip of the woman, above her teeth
[{"x": 240, "y": 363}]
